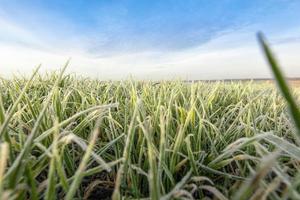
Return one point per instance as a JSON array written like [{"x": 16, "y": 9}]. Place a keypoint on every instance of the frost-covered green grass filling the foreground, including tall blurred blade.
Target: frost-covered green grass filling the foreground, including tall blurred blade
[{"x": 167, "y": 140}]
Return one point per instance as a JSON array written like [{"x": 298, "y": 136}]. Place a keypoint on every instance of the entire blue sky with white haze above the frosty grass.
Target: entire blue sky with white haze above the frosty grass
[{"x": 157, "y": 39}]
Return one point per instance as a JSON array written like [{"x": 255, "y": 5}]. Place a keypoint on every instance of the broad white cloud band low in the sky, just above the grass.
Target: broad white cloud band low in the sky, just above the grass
[{"x": 233, "y": 55}]
